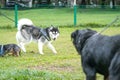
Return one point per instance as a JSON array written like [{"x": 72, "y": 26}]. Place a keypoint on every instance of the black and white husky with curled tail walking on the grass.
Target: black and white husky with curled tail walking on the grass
[{"x": 27, "y": 32}]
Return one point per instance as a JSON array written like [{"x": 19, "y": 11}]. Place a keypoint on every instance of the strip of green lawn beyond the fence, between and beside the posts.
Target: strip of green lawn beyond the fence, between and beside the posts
[{"x": 60, "y": 16}]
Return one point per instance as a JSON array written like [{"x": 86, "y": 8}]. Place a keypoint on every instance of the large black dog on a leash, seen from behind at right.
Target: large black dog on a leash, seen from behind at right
[{"x": 99, "y": 53}]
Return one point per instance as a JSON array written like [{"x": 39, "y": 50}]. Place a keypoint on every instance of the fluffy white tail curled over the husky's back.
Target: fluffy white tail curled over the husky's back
[{"x": 24, "y": 21}]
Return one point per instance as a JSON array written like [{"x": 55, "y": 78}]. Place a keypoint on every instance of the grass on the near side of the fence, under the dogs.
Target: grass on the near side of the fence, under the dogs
[{"x": 65, "y": 65}]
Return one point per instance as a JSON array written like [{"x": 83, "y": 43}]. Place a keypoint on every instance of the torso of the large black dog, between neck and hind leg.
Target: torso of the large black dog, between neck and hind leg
[{"x": 102, "y": 50}]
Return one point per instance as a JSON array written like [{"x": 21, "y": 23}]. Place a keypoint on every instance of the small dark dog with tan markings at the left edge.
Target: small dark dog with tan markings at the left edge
[{"x": 10, "y": 48}]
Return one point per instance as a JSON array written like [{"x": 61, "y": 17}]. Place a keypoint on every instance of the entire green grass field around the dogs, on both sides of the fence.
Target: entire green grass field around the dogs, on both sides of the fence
[{"x": 66, "y": 64}]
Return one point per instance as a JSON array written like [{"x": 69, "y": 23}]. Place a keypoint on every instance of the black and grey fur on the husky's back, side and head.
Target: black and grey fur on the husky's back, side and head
[{"x": 36, "y": 32}]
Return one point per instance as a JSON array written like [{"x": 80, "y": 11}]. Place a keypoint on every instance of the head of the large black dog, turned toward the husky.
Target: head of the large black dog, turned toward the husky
[{"x": 80, "y": 36}]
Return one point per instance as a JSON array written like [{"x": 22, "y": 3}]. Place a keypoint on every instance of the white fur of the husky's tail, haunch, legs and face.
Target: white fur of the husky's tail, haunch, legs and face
[{"x": 22, "y": 42}]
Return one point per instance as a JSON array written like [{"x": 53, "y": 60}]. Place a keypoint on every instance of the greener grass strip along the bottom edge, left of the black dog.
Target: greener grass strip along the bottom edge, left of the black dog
[{"x": 30, "y": 74}]
